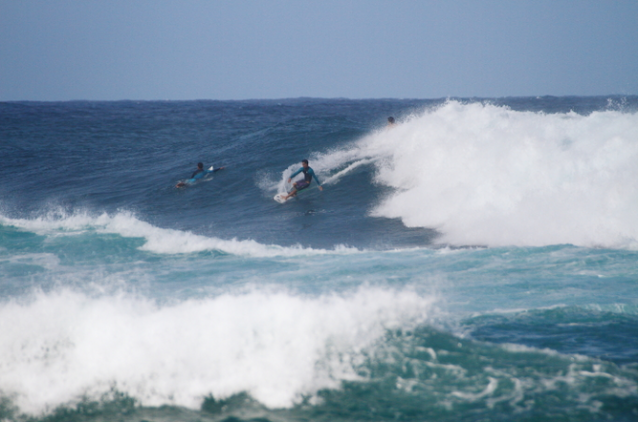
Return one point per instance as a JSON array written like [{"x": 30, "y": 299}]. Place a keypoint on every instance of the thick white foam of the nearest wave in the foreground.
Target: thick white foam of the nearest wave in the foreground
[{"x": 274, "y": 345}]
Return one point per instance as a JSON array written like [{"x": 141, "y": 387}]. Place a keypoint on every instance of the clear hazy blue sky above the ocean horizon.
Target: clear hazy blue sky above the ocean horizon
[{"x": 270, "y": 49}]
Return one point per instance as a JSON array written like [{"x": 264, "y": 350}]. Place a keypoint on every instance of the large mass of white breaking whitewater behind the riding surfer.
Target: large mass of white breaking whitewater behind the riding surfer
[{"x": 486, "y": 175}]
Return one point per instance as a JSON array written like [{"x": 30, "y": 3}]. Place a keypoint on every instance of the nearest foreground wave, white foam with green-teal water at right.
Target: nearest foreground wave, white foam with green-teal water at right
[{"x": 283, "y": 349}]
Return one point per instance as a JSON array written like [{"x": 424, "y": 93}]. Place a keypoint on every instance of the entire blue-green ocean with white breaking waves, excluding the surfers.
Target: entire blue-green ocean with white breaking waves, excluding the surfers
[{"x": 477, "y": 261}]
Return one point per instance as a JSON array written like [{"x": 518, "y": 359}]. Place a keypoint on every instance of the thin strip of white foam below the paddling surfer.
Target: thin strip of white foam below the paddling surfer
[{"x": 158, "y": 240}]
